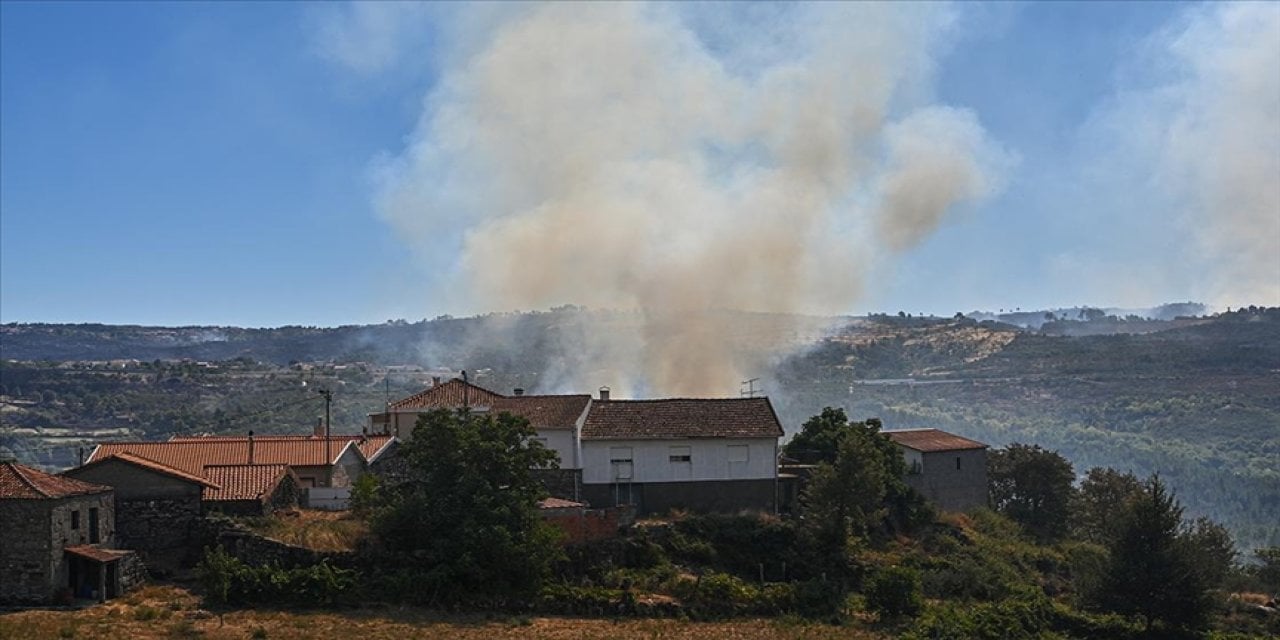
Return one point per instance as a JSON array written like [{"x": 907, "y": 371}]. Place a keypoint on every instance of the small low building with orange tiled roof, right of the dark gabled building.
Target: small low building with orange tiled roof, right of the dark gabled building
[{"x": 252, "y": 490}]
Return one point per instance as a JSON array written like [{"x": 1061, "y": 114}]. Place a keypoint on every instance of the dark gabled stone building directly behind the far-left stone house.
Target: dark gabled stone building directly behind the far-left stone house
[{"x": 157, "y": 506}]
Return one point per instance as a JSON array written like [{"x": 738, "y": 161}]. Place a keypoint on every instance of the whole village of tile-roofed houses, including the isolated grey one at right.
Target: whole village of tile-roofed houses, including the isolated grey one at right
[{"x": 139, "y": 509}]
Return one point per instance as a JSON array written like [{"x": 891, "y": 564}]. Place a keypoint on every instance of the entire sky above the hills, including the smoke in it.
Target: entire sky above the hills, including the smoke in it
[{"x": 264, "y": 164}]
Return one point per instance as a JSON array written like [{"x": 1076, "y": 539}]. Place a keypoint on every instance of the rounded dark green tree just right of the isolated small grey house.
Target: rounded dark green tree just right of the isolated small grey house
[{"x": 1034, "y": 487}]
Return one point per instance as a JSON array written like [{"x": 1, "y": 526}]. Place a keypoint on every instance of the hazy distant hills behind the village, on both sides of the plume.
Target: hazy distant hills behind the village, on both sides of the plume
[{"x": 1190, "y": 396}]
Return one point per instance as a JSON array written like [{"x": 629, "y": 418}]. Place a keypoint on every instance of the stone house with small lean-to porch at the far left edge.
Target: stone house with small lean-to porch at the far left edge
[{"x": 57, "y": 540}]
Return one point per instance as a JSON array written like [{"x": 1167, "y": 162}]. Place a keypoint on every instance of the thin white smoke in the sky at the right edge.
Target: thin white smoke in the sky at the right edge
[{"x": 1195, "y": 135}]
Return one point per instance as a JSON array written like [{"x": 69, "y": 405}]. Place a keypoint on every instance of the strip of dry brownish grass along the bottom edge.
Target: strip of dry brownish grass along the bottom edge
[{"x": 122, "y": 620}]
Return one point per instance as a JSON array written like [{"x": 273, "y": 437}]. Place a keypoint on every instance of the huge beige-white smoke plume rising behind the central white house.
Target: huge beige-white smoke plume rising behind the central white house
[{"x": 683, "y": 162}]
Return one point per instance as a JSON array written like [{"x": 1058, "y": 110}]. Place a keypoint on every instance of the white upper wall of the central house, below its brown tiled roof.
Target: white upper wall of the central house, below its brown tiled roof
[{"x": 710, "y": 460}]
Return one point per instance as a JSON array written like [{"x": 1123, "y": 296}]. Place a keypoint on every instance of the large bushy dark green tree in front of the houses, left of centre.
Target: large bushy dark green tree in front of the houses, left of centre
[{"x": 465, "y": 518}]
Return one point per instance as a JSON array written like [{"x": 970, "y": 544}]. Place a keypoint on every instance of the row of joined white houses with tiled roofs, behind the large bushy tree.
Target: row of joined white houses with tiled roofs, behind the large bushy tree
[{"x": 706, "y": 455}]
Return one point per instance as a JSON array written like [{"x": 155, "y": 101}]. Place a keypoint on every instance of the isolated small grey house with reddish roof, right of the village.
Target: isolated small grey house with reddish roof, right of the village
[{"x": 949, "y": 470}]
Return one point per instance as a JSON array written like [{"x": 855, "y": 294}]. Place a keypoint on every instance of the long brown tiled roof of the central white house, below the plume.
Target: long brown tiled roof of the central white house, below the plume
[{"x": 682, "y": 418}]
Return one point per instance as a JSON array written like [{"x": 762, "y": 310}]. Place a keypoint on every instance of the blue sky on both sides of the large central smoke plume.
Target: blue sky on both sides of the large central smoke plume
[{"x": 217, "y": 163}]
